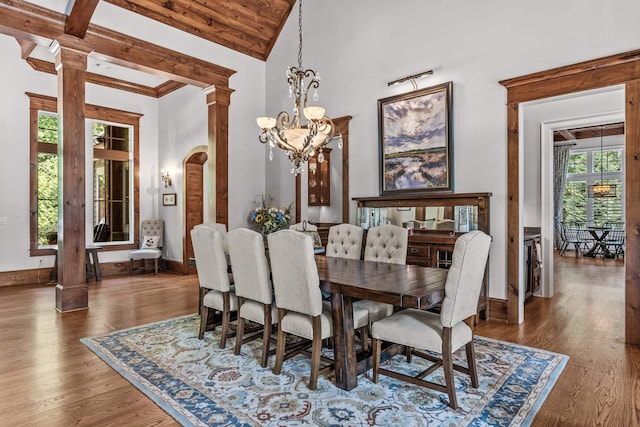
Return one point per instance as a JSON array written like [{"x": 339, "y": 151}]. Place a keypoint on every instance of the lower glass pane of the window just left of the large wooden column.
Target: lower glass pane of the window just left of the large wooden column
[{"x": 47, "y": 196}]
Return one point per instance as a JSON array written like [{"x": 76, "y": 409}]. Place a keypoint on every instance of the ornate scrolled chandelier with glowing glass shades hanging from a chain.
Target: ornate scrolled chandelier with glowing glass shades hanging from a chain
[{"x": 300, "y": 141}]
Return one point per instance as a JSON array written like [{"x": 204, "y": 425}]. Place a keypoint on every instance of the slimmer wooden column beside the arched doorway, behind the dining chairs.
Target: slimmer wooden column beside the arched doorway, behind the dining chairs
[{"x": 218, "y": 101}]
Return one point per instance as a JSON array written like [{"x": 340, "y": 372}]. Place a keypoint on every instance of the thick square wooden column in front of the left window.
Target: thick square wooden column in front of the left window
[{"x": 71, "y": 290}]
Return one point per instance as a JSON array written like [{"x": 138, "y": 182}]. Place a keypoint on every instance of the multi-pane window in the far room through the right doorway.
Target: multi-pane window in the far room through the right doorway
[{"x": 589, "y": 167}]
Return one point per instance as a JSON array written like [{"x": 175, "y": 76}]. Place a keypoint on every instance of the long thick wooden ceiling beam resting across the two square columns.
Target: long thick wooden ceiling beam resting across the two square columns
[{"x": 30, "y": 22}]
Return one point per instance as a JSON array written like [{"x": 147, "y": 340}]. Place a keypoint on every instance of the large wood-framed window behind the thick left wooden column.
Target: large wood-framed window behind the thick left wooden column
[{"x": 115, "y": 153}]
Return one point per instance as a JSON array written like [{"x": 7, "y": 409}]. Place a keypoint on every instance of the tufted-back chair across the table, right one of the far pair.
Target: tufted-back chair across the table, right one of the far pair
[{"x": 385, "y": 243}]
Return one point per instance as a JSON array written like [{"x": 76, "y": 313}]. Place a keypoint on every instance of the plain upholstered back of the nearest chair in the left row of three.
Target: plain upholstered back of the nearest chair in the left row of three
[{"x": 294, "y": 272}]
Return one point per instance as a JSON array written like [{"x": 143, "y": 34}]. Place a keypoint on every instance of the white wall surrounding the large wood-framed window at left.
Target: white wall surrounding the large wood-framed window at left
[{"x": 16, "y": 78}]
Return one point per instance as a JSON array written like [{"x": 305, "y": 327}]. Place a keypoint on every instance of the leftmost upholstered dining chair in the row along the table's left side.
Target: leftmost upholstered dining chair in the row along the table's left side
[{"x": 211, "y": 265}]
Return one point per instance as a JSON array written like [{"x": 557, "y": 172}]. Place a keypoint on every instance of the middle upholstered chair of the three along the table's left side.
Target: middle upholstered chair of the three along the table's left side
[{"x": 253, "y": 287}]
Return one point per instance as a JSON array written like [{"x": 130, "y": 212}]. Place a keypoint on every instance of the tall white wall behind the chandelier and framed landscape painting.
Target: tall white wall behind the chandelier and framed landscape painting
[{"x": 360, "y": 45}]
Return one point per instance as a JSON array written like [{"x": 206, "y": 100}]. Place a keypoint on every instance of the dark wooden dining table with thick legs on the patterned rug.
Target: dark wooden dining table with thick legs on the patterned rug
[{"x": 405, "y": 286}]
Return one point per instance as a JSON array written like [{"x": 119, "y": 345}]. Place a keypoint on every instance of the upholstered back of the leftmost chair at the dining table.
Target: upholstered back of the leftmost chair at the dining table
[{"x": 210, "y": 259}]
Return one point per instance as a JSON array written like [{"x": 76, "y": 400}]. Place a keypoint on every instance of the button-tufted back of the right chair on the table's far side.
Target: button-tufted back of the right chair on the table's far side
[{"x": 387, "y": 243}]
